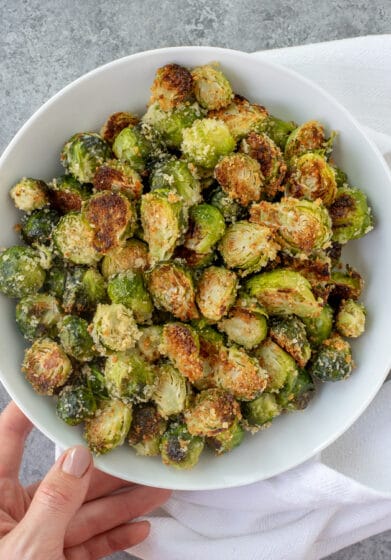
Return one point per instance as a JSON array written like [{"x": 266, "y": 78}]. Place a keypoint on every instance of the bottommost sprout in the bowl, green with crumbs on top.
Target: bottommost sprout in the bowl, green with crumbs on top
[{"x": 179, "y": 449}]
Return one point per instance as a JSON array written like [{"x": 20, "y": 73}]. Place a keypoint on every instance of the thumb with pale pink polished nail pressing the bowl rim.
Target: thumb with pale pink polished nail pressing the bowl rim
[{"x": 60, "y": 494}]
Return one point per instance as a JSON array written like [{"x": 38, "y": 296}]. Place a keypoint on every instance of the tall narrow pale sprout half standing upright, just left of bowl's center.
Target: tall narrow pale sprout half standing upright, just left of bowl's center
[{"x": 162, "y": 222}]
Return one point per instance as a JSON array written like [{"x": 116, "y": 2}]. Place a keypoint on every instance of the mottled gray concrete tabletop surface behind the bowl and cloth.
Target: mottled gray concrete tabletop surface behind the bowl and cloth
[{"x": 45, "y": 44}]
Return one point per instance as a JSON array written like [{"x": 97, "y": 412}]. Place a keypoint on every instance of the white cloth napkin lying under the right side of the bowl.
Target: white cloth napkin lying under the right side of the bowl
[{"x": 344, "y": 495}]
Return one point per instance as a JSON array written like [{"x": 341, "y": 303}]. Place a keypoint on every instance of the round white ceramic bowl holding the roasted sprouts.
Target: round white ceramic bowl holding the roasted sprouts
[{"x": 124, "y": 85}]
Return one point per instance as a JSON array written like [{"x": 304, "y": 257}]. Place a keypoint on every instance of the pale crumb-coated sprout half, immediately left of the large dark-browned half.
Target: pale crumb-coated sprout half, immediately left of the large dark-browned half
[{"x": 74, "y": 239}]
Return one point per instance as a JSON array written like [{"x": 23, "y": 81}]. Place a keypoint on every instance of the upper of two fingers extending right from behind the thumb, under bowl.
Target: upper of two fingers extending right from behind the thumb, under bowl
[{"x": 106, "y": 513}]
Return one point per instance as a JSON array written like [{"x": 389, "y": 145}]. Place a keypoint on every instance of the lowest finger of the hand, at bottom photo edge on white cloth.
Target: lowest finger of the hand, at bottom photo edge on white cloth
[{"x": 104, "y": 544}]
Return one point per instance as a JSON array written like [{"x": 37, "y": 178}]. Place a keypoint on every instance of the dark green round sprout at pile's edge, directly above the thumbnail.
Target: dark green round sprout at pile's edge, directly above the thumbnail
[{"x": 75, "y": 404}]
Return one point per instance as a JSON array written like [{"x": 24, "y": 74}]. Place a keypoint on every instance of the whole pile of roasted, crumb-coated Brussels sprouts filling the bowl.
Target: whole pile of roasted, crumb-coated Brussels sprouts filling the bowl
[{"x": 182, "y": 282}]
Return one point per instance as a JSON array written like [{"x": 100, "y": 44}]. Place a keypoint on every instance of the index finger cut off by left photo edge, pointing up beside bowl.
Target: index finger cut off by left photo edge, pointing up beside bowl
[{"x": 14, "y": 429}]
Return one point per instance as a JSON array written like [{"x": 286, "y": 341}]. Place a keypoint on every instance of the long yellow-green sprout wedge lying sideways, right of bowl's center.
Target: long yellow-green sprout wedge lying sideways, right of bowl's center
[{"x": 284, "y": 292}]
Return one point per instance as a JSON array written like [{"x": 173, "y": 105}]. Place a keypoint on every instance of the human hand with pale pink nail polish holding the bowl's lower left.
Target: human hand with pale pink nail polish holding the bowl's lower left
[{"x": 71, "y": 514}]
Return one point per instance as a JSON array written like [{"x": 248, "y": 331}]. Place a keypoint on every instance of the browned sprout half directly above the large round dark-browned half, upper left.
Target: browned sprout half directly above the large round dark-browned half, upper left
[{"x": 118, "y": 176}]
